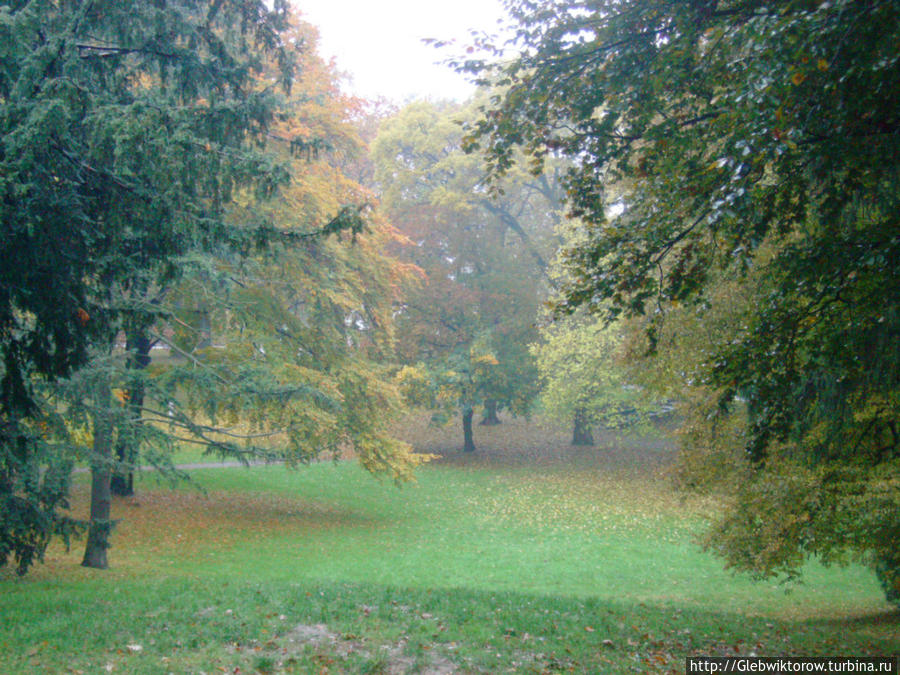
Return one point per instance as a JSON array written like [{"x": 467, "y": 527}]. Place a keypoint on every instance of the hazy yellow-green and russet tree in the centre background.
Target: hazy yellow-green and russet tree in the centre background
[{"x": 484, "y": 259}]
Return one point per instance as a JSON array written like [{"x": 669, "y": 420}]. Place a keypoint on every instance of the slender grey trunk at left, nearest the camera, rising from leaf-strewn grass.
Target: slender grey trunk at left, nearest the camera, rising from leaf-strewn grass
[{"x": 100, "y": 525}]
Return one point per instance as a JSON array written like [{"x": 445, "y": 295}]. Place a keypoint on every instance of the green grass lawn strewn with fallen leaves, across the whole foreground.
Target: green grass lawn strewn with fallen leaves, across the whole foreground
[{"x": 529, "y": 556}]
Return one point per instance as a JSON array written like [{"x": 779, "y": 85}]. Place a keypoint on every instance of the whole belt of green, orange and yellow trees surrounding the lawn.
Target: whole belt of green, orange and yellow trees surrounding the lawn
[{"x": 649, "y": 211}]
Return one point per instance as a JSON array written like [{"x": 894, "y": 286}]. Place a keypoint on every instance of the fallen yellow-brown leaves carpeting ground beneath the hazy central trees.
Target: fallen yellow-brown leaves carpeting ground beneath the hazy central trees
[{"x": 621, "y": 485}]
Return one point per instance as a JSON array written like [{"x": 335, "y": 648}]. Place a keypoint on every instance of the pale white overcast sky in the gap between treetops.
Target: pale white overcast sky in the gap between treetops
[{"x": 378, "y": 43}]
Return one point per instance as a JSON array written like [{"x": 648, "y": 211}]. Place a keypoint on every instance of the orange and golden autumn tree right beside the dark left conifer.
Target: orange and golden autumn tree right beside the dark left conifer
[{"x": 331, "y": 298}]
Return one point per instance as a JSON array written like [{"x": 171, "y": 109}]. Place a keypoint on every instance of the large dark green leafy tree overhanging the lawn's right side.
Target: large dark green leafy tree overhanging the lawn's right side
[{"x": 758, "y": 143}]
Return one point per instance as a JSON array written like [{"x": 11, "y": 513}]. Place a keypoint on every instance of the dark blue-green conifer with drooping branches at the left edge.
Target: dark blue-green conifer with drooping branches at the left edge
[{"x": 124, "y": 128}]
